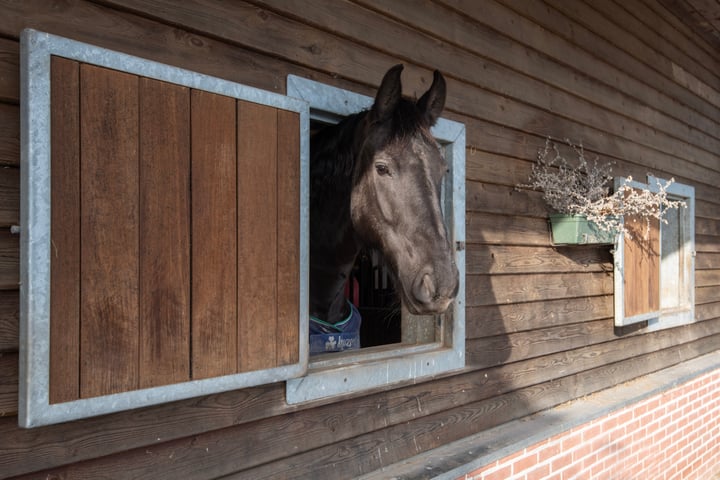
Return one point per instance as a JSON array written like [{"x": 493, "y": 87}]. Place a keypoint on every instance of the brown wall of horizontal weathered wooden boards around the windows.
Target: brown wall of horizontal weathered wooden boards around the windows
[{"x": 626, "y": 77}]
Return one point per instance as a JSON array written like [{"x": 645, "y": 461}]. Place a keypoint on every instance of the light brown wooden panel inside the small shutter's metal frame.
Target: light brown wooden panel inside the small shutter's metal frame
[{"x": 642, "y": 267}]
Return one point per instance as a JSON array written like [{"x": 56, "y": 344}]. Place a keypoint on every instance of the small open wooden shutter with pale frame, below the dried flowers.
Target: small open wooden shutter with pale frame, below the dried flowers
[{"x": 637, "y": 270}]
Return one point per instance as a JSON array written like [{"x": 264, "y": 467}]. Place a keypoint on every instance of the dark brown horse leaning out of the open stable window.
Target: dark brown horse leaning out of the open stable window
[{"x": 375, "y": 183}]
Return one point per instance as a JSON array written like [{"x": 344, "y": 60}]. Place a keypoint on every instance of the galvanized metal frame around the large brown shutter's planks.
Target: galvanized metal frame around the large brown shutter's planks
[{"x": 36, "y": 162}]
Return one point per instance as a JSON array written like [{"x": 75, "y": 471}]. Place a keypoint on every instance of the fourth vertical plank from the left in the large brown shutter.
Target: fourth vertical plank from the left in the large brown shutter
[{"x": 214, "y": 235}]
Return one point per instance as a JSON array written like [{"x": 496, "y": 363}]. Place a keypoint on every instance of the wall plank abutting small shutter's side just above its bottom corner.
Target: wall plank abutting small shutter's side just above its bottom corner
[{"x": 492, "y": 320}]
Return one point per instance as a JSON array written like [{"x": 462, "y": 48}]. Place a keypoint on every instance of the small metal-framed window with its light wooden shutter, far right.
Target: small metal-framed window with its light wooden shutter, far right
[{"x": 654, "y": 269}]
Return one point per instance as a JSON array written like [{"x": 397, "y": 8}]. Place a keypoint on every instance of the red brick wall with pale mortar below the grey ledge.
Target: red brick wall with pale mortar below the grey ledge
[{"x": 674, "y": 435}]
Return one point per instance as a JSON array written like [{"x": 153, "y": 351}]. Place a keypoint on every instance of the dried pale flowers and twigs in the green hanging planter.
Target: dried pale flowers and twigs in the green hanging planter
[{"x": 583, "y": 188}]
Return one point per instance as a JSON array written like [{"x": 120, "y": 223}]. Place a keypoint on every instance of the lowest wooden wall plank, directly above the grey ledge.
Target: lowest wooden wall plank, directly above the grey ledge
[{"x": 373, "y": 450}]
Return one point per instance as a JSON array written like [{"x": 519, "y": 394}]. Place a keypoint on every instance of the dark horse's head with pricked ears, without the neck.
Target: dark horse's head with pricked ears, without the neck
[{"x": 395, "y": 202}]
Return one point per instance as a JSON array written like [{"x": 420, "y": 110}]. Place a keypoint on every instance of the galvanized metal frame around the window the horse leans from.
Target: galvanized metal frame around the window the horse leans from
[{"x": 340, "y": 374}]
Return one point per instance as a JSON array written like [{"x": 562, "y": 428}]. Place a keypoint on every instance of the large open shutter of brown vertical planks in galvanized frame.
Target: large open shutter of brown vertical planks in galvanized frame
[{"x": 176, "y": 234}]
